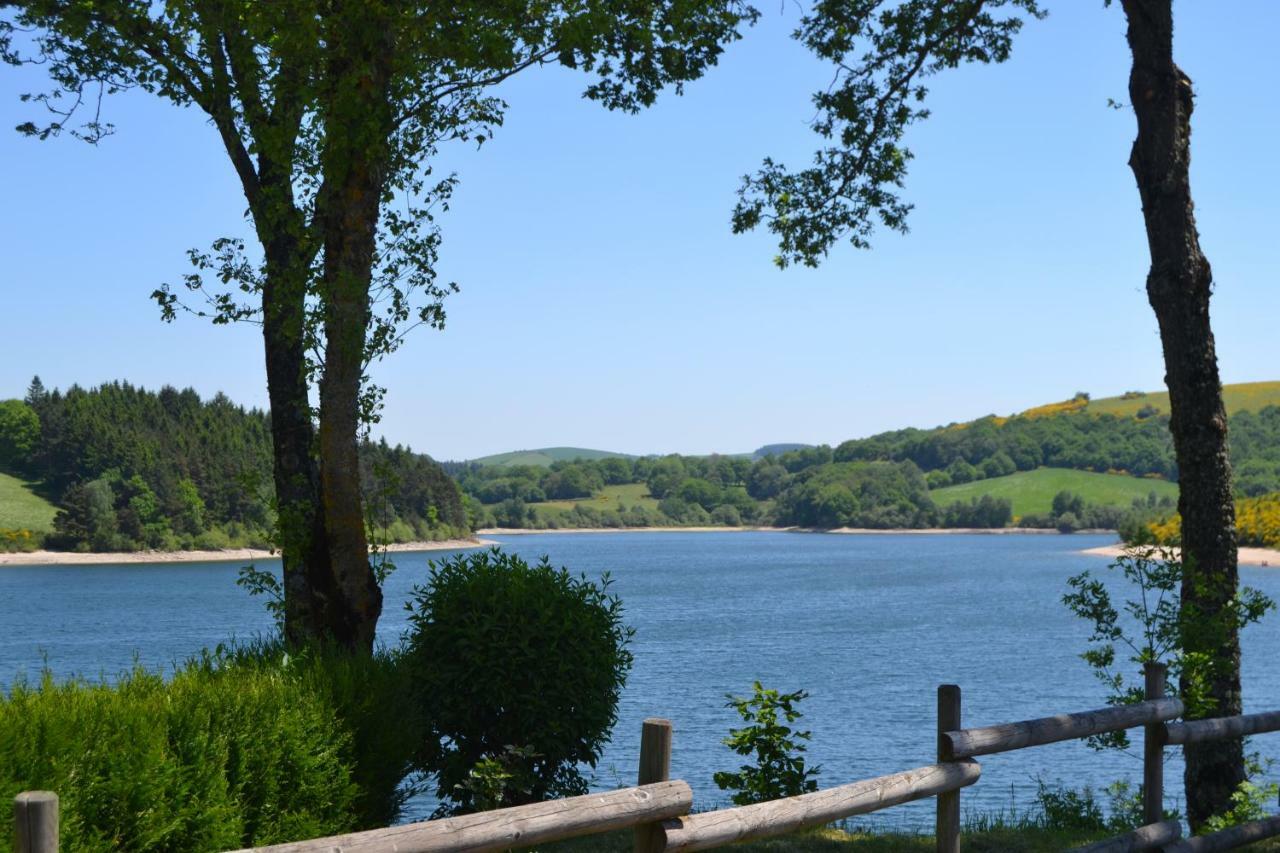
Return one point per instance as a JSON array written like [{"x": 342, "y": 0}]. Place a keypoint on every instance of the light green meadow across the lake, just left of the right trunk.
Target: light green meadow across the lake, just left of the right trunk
[{"x": 1032, "y": 492}]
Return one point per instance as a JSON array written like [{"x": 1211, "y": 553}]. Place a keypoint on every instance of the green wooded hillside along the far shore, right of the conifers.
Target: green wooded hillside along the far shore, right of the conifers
[{"x": 876, "y": 483}]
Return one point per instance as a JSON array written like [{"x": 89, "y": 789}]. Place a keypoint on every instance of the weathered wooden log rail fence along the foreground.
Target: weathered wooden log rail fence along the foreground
[{"x": 660, "y": 810}]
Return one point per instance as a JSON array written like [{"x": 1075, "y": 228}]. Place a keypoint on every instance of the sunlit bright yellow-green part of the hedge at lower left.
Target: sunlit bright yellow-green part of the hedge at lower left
[{"x": 220, "y": 758}]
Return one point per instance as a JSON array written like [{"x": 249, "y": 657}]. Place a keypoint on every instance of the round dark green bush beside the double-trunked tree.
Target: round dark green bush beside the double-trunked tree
[{"x": 509, "y": 655}]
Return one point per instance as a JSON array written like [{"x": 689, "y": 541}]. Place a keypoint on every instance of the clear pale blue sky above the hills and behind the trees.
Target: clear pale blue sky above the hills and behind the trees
[{"x": 605, "y": 302}]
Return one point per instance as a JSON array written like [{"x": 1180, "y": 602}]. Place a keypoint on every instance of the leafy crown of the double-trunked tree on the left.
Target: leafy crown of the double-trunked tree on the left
[{"x": 292, "y": 110}]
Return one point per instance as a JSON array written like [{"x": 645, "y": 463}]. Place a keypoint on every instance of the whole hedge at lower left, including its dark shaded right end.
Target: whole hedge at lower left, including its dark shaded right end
[{"x": 236, "y": 750}]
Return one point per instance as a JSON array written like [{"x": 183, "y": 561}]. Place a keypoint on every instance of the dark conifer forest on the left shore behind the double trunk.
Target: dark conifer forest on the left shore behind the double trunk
[{"x": 136, "y": 469}]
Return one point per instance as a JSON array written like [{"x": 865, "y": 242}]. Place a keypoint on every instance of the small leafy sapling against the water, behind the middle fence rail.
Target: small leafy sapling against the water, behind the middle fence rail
[{"x": 780, "y": 769}]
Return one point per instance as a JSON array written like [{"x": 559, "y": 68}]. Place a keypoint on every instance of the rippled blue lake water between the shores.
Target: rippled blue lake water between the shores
[{"x": 868, "y": 624}]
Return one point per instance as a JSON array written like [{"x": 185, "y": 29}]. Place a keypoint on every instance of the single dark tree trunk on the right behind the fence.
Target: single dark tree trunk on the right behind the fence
[{"x": 1178, "y": 288}]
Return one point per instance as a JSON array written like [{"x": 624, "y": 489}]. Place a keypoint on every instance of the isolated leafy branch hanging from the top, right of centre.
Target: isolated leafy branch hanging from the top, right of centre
[{"x": 883, "y": 53}]
